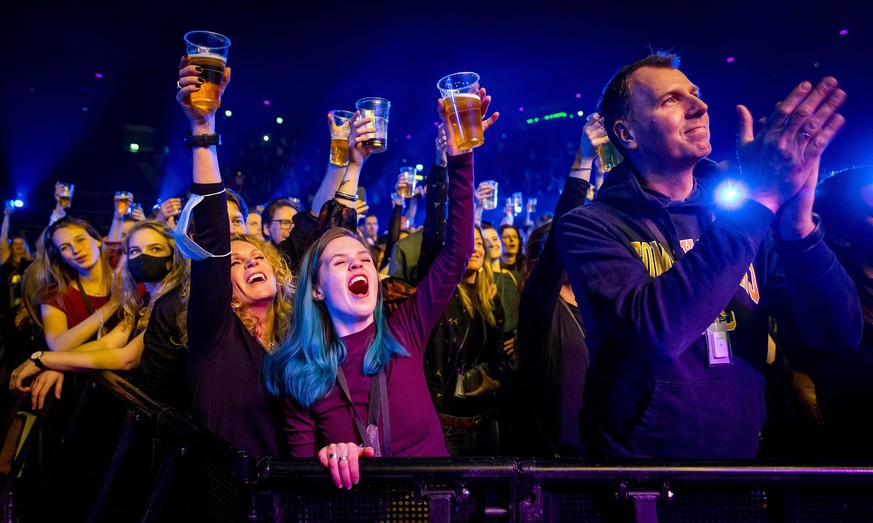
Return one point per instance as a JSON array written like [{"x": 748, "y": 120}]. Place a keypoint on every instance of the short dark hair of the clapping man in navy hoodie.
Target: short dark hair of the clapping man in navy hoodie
[{"x": 614, "y": 102}]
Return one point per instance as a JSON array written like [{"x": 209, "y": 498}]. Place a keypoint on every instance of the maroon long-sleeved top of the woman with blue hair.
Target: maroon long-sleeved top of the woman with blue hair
[{"x": 415, "y": 428}]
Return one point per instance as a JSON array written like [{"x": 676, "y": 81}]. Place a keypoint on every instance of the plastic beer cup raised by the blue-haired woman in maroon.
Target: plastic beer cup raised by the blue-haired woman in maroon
[{"x": 463, "y": 108}]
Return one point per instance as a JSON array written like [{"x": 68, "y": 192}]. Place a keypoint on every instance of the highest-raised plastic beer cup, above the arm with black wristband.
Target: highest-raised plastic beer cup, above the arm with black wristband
[{"x": 208, "y": 51}]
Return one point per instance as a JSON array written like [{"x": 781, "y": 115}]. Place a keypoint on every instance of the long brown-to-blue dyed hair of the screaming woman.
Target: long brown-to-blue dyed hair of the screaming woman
[{"x": 304, "y": 366}]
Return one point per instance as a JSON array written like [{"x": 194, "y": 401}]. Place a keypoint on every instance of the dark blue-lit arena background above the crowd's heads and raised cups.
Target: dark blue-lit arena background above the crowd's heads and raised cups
[{"x": 61, "y": 122}]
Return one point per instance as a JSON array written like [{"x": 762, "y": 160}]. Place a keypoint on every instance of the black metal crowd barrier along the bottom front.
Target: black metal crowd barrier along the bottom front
[{"x": 195, "y": 475}]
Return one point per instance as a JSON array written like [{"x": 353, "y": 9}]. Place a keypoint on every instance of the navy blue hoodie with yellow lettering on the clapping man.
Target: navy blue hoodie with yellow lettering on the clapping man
[{"x": 650, "y": 276}]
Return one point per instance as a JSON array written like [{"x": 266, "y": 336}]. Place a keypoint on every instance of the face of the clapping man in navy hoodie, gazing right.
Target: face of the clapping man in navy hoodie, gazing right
[{"x": 668, "y": 123}]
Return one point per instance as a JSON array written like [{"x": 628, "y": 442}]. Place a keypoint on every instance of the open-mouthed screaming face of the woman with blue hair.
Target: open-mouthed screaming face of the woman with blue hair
[{"x": 348, "y": 284}]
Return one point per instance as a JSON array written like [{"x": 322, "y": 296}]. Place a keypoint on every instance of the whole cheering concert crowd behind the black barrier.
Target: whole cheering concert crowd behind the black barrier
[{"x": 643, "y": 318}]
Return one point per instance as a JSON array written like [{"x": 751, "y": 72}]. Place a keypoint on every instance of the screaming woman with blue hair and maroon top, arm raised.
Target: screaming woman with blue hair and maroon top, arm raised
[{"x": 352, "y": 380}]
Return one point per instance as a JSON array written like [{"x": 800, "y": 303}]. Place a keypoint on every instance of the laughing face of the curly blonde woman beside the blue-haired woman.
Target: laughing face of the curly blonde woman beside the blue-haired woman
[{"x": 251, "y": 275}]
